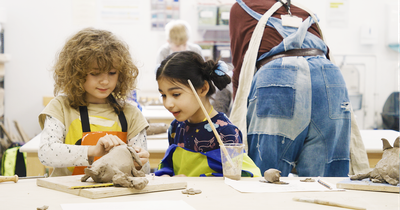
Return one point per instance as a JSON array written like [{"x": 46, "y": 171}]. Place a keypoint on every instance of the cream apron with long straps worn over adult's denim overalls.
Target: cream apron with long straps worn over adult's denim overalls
[{"x": 239, "y": 109}]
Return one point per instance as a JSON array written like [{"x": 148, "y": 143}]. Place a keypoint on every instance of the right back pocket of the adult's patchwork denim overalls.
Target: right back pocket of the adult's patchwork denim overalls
[{"x": 339, "y": 103}]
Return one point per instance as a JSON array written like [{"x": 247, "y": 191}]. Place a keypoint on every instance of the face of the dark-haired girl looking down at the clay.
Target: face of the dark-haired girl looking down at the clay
[{"x": 180, "y": 101}]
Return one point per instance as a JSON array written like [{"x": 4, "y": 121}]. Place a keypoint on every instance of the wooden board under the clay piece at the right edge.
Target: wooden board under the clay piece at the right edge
[{"x": 366, "y": 184}]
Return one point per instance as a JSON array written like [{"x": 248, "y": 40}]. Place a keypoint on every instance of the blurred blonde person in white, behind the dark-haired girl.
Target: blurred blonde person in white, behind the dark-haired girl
[{"x": 178, "y": 34}]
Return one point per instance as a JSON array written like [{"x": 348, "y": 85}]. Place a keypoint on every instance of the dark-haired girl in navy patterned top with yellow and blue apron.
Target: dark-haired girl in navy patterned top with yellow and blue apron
[{"x": 194, "y": 149}]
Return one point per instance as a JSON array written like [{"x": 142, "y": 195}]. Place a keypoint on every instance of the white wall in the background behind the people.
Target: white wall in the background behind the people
[{"x": 36, "y": 30}]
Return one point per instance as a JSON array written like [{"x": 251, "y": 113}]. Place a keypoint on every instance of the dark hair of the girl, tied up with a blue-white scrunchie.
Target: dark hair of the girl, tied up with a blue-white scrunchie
[{"x": 184, "y": 65}]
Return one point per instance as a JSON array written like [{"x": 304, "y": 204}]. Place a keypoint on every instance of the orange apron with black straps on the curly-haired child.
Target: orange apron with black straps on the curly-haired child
[{"x": 91, "y": 138}]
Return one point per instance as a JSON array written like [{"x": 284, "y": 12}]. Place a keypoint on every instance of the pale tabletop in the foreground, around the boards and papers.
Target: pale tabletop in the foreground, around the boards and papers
[{"x": 25, "y": 194}]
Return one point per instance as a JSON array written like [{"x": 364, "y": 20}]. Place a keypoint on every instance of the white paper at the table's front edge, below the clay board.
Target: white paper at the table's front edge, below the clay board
[{"x": 131, "y": 205}]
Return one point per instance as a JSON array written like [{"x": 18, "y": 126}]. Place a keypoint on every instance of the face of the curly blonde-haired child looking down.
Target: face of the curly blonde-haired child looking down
[{"x": 99, "y": 86}]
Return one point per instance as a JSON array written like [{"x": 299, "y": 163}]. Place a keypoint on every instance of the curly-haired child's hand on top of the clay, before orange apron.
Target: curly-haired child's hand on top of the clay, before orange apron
[{"x": 104, "y": 145}]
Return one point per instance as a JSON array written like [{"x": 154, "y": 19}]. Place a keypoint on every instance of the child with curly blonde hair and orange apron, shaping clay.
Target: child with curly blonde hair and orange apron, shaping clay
[{"x": 94, "y": 74}]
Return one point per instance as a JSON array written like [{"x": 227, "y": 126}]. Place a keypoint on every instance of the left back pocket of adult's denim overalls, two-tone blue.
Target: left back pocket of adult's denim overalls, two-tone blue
[{"x": 276, "y": 92}]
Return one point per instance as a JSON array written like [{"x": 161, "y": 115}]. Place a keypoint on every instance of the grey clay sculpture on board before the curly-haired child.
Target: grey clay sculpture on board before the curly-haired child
[{"x": 118, "y": 167}]
